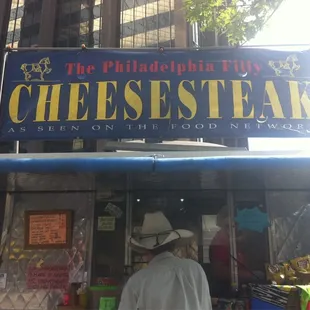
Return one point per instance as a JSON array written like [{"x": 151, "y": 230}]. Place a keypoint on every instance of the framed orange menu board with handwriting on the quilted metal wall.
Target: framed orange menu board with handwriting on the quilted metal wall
[{"x": 48, "y": 229}]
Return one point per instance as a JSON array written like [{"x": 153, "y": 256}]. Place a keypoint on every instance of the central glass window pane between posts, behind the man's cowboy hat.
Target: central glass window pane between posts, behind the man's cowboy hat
[{"x": 193, "y": 201}]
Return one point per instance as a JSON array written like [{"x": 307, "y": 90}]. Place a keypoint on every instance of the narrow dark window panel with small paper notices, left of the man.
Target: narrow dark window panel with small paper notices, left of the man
[{"x": 109, "y": 228}]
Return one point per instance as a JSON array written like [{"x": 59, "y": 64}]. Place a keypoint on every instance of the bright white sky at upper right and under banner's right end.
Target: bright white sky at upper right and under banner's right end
[{"x": 288, "y": 26}]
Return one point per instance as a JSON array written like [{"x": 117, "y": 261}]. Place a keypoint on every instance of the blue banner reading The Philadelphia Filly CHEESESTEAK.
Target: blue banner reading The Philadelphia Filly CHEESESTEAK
[{"x": 155, "y": 94}]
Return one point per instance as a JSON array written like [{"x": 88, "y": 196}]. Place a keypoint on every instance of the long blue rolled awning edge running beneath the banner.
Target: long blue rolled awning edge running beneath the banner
[{"x": 150, "y": 162}]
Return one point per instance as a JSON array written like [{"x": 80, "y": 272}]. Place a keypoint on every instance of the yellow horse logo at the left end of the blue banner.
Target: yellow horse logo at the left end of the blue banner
[{"x": 36, "y": 71}]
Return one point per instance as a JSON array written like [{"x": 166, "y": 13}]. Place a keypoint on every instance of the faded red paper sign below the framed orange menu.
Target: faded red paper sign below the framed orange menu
[{"x": 48, "y": 277}]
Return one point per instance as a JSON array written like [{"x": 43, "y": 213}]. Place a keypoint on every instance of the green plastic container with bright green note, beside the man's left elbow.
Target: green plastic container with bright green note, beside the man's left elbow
[{"x": 104, "y": 297}]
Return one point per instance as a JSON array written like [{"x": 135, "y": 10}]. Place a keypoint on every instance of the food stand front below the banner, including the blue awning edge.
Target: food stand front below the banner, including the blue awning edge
[{"x": 108, "y": 204}]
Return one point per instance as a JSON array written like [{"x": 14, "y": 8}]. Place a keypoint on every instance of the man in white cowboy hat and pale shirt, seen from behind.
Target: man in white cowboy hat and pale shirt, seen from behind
[{"x": 168, "y": 282}]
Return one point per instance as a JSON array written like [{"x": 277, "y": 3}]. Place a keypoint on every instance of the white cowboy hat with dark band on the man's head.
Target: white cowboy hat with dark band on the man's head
[{"x": 156, "y": 231}]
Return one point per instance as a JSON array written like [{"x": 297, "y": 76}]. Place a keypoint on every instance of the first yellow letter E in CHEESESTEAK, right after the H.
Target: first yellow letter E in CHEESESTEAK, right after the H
[{"x": 76, "y": 101}]
